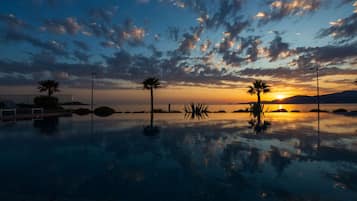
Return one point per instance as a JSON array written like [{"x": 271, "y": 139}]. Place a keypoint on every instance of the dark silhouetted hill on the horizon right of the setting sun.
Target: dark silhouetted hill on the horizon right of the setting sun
[{"x": 341, "y": 97}]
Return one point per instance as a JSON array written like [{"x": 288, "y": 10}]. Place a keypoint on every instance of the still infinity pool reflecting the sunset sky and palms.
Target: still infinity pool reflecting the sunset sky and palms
[{"x": 283, "y": 156}]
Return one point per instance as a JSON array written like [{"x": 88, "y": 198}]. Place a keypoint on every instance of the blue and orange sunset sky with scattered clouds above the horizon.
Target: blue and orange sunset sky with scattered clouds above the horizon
[{"x": 202, "y": 50}]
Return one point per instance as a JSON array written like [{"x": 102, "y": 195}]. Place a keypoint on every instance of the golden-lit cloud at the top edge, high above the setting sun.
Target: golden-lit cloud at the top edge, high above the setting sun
[{"x": 281, "y": 8}]
